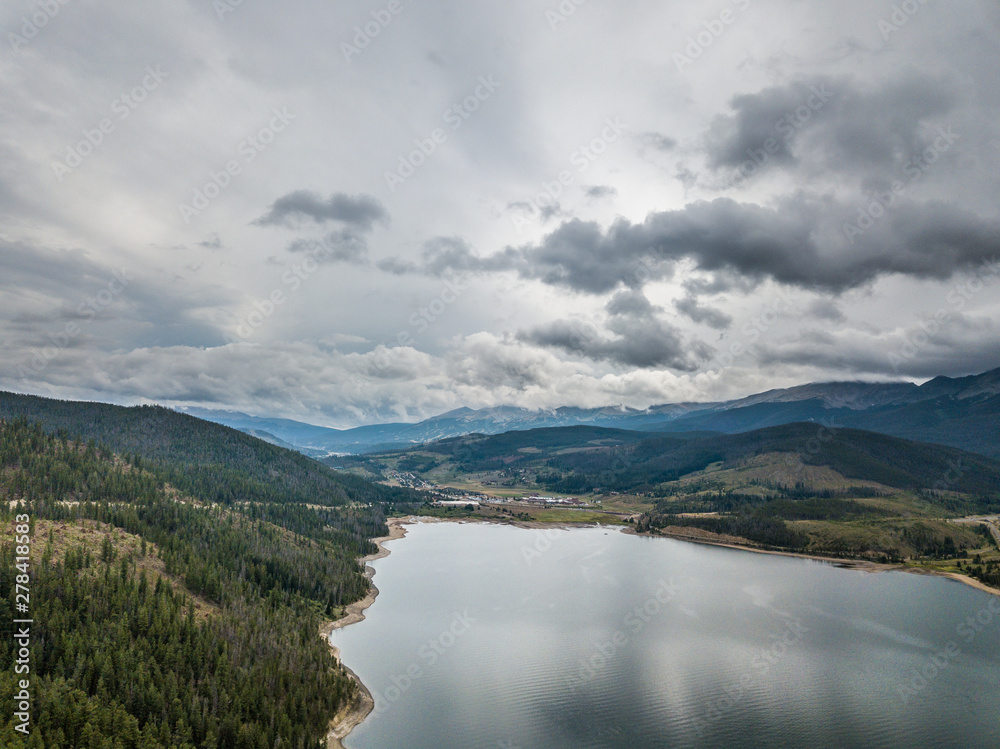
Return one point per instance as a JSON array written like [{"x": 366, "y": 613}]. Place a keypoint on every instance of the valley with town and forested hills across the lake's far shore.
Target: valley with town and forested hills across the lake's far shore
[{"x": 800, "y": 488}]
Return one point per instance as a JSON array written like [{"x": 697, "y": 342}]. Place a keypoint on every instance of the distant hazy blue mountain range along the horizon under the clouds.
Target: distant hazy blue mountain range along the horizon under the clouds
[{"x": 959, "y": 412}]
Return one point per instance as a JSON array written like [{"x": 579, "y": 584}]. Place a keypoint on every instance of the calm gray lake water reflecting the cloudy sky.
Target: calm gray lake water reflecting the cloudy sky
[{"x": 489, "y": 636}]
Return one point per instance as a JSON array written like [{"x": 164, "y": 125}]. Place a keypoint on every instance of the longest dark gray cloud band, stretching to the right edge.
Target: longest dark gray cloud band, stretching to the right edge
[{"x": 801, "y": 242}]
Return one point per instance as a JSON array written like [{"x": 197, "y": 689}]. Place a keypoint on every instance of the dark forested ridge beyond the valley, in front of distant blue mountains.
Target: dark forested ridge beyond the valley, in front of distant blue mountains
[{"x": 581, "y": 460}]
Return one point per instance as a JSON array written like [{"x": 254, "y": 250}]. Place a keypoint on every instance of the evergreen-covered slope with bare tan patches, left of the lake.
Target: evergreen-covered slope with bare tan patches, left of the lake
[{"x": 201, "y": 630}]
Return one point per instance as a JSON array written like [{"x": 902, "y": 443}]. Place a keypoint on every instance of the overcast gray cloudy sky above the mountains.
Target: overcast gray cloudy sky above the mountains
[{"x": 376, "y": 211}]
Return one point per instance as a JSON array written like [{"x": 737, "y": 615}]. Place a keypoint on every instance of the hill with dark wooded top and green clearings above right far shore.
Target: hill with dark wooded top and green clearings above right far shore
[{"x": 843, "y": 493}]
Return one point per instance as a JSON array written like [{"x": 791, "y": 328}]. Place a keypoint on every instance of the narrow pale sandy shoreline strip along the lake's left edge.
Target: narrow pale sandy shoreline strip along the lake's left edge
[{"x": 354, "y": 713}]
